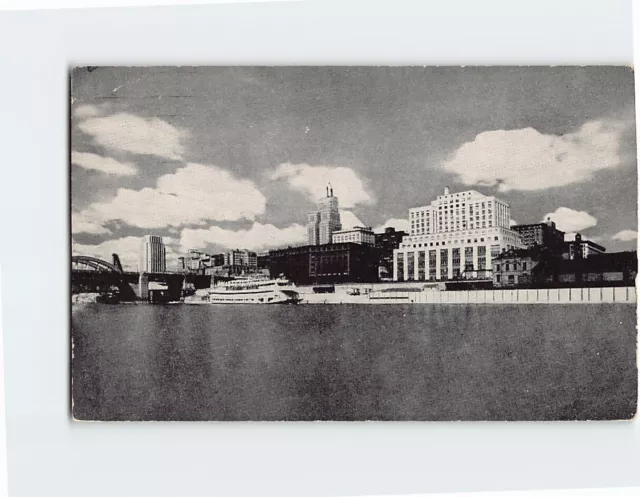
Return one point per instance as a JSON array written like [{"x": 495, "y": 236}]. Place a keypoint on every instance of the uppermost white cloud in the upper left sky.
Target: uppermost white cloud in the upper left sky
[{"x": 135, "y": 134}]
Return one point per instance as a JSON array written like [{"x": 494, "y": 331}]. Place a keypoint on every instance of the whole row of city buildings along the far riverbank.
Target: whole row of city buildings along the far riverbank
[{"x": 463, "y": 238}]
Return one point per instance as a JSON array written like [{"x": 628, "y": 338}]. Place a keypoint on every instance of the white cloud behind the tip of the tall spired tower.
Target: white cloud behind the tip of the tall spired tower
[{"x": 312, "y": 180}]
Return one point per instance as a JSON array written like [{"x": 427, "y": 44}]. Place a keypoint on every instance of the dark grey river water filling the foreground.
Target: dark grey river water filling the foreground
[{"x": 354, "y": 362}]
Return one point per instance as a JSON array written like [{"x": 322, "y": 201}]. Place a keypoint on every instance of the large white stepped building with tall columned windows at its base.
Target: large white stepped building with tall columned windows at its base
[{"x": 456, "y": 236}]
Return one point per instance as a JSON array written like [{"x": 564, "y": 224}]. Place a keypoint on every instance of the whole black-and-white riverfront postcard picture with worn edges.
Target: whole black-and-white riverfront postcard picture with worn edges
[{"x": 353, "y": 243}]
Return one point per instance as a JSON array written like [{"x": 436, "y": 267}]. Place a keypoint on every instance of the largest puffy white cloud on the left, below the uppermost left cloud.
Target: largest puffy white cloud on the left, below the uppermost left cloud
[{"x": 194, "y": 195}]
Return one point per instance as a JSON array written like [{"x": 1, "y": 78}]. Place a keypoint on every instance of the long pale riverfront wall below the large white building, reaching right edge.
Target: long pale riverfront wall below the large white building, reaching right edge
[{"x": 624, "y": 295}]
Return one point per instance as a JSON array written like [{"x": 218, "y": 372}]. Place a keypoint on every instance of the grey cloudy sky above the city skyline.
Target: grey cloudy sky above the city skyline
[{"x": 217, "y": 158}]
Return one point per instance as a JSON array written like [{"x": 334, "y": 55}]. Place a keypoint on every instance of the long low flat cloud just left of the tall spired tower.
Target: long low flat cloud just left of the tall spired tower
[{"x": 258, "y": 237}]
